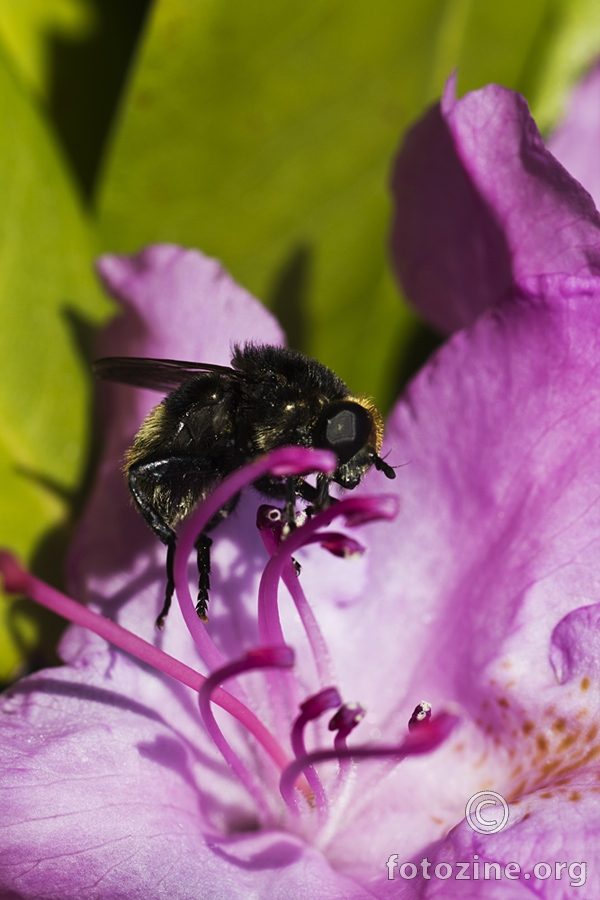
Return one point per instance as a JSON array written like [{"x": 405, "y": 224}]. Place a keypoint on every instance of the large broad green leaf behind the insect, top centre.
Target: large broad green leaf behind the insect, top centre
[{"x": 264, "y": 134}]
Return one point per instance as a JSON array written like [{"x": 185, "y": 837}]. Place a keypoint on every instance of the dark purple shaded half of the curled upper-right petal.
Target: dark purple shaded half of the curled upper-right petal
[{"x": 450, "y": 253}]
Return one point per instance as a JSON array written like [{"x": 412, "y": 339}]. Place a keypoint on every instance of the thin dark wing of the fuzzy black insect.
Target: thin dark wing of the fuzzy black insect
[{"x": 155, "y": 374}]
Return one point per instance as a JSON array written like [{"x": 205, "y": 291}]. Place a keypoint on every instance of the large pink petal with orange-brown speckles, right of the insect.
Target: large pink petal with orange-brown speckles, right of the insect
[{"x": 497, "y": 541}]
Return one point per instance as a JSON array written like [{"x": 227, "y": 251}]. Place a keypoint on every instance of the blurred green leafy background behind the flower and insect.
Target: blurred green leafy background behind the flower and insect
[{"x": 261, "y": 133}]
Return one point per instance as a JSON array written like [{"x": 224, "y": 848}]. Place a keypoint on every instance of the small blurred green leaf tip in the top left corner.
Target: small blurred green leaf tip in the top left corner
[{"x": 26, "y": 27}]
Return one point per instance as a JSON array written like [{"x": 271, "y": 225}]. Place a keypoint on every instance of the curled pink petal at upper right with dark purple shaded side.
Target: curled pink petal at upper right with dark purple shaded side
[{"x": 482, "y": 204}]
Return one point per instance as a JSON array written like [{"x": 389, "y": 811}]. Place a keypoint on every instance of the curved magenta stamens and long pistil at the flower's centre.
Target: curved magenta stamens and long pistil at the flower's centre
[{"x": 286, "y": 739}]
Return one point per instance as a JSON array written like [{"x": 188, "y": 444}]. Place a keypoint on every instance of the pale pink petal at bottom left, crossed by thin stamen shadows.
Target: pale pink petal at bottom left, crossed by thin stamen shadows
[{"x": 110, "y": 790}]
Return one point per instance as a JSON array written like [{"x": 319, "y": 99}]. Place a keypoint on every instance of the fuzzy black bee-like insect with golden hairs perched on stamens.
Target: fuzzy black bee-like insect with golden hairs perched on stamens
[{"x": 216, "y": 418}]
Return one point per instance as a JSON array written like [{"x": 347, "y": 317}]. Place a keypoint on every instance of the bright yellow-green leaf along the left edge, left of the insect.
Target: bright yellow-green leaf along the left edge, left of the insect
[{"x": 47, "y": 290}]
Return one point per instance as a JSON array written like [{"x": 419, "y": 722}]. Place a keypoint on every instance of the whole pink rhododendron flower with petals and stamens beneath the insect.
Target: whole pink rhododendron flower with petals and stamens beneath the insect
[{"x": 472, "y": 615}]
